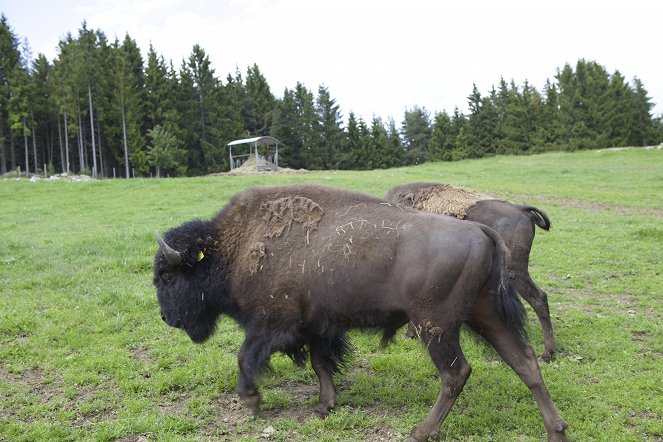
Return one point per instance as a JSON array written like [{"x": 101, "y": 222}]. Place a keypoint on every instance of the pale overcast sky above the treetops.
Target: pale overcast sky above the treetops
[{"x": 376, "y": 57}]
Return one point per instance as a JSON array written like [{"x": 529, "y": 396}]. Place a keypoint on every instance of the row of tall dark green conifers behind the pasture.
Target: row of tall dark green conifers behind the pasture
[{"x": 100, "y": 109}]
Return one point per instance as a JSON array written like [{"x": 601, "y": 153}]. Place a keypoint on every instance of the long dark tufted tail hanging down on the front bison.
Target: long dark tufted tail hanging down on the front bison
[{"x": 509, "y": 306}]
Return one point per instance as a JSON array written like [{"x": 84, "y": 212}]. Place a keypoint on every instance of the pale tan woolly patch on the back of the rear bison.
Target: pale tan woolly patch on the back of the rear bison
[{"x": 443, "y": 200}]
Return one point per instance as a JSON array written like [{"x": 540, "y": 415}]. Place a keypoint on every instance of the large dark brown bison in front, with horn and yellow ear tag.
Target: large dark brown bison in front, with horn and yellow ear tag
[{"x": 298, "y": 266}]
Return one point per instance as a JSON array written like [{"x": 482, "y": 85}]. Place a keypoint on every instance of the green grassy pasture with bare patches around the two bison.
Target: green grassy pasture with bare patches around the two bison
[{"x": 84, "y": 354}]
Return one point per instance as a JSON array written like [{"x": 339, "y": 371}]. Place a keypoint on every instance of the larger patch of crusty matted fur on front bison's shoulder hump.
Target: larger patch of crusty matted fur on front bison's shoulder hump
[{"x": 280, "y": 214}]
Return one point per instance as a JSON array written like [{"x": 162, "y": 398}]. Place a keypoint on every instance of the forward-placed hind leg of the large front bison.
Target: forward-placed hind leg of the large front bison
[{"x": 444, "y": 349}]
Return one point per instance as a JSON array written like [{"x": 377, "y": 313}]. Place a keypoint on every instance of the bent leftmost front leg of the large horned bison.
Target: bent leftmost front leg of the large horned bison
[{"x": 253, "y": 356}]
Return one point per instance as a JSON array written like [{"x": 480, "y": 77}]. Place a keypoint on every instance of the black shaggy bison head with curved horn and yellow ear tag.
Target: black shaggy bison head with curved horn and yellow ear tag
[{"x": 188, "y": 278}]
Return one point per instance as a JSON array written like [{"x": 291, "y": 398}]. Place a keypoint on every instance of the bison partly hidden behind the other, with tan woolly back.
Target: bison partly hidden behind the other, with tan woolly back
[{"x": 515, "y": 223}]
